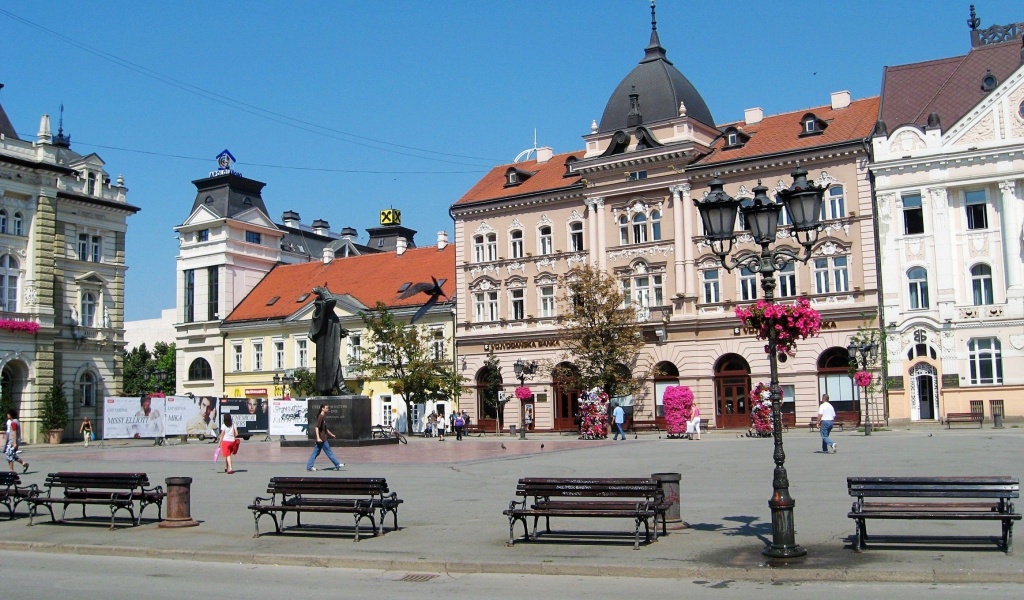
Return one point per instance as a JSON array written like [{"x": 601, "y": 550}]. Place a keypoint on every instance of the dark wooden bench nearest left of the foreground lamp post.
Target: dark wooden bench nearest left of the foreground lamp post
[{"x": 637, "y": 499}]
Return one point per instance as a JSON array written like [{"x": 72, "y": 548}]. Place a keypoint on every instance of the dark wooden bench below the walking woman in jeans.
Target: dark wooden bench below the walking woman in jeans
[{"x": 362, "y": 497}]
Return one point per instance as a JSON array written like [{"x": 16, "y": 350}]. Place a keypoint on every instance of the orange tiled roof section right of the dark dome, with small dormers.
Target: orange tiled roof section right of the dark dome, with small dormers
[{"x": 779, "y": 134}]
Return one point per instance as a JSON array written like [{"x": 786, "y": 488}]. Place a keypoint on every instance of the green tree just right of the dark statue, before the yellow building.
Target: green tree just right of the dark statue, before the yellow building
[{"x": 401, "y": 356}]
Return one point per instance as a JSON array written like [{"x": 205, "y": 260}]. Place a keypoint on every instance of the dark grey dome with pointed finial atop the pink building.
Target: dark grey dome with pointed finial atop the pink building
[{"x": 659, "y": 90}]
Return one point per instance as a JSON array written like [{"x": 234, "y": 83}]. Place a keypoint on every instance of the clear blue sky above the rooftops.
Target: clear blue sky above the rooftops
[{"x": 346, "y": 108}]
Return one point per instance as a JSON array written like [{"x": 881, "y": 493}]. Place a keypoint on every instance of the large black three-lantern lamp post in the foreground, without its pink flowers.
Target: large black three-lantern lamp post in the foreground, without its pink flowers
[{"x": 718, "y": 213}]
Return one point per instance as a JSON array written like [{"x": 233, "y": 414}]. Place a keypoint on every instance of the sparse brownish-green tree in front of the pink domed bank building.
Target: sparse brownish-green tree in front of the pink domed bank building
[{"x": 601, "y": 337}]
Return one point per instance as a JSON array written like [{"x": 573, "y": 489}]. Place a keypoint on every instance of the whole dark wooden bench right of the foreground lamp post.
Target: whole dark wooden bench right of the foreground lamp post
[{"x": 977, "y": 498}]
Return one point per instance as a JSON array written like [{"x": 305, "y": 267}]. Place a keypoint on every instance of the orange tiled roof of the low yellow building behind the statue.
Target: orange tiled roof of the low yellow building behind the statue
[{"x": 368, "y": 279}]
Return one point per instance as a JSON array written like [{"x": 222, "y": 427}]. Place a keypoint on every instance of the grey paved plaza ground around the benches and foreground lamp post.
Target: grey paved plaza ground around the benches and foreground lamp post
[{"x": 455, "y": 492}]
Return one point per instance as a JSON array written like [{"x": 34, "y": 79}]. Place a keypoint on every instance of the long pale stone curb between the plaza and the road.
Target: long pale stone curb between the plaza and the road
[{"x": 767, "y": 575}]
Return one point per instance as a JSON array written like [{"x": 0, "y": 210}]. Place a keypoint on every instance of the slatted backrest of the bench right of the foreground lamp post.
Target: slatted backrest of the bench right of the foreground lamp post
[{"x": 968, "y": 487}]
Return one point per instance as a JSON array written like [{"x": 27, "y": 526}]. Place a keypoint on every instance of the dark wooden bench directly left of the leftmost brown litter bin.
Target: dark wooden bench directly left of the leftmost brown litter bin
[{"x": 118, "y": 491}]
